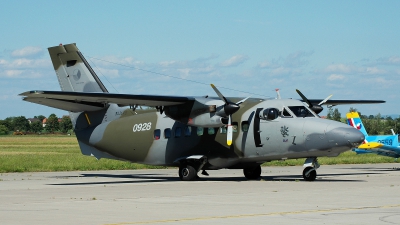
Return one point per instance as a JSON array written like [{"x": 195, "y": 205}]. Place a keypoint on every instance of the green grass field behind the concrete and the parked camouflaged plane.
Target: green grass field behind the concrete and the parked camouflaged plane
[{"x": 62, "y": 153}]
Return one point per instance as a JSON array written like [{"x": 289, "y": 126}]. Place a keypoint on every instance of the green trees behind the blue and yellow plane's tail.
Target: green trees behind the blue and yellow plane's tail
[{"x": 375, "y": 125}]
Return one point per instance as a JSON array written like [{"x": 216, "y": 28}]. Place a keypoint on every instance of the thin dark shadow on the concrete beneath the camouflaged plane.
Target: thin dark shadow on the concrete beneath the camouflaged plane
[{"x": 155, "y": 178}]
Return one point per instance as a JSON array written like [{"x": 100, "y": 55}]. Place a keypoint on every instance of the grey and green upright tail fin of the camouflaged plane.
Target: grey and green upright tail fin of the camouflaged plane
[{"x": 73, "y": 71}]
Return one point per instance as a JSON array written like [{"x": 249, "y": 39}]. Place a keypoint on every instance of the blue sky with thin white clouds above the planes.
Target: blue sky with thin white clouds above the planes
[{"x": 346, "y": 48}]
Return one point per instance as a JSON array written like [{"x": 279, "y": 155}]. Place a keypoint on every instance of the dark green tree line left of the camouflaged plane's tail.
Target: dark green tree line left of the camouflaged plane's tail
[{"x": 22, "y": 124}]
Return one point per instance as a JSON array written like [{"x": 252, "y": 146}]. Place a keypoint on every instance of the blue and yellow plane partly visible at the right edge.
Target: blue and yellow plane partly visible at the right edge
[{"x": 386, "y": 145}]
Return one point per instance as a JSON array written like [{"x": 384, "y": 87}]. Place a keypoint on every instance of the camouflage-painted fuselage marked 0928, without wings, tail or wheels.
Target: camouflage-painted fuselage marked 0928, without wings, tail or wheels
[{"x": 255, "y": 140}]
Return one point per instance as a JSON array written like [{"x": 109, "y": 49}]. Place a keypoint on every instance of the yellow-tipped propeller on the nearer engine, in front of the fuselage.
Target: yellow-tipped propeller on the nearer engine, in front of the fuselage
[{"x": 229, "y": 109}]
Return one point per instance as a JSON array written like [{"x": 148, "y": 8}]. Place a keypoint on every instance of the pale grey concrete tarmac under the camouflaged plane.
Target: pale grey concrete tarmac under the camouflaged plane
[{"x": 342, "y": 194}]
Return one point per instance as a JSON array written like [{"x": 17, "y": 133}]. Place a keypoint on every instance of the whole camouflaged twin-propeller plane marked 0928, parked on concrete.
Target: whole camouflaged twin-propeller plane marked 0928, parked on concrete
[{"x": 192, "y": 133}]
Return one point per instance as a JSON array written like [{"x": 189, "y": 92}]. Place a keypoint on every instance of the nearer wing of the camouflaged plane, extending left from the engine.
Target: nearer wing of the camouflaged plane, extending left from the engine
[{"x": 92, "y": 101}]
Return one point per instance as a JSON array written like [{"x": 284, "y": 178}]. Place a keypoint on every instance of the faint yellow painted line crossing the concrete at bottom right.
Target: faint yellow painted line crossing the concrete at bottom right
[{"x": 255, "y": 215}]
